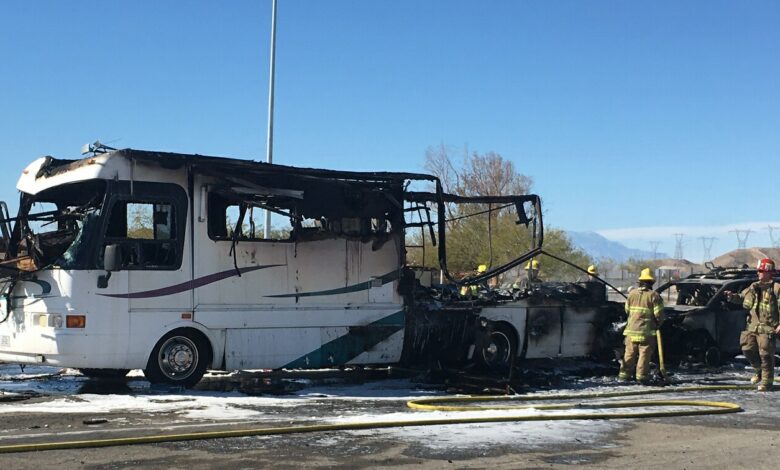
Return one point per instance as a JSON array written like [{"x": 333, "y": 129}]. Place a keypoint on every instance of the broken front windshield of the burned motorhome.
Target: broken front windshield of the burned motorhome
[{"x": 50, "y": 227}]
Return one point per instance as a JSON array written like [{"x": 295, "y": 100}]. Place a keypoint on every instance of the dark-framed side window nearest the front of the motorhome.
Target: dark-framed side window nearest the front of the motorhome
[{"x": 146, "y": 233}]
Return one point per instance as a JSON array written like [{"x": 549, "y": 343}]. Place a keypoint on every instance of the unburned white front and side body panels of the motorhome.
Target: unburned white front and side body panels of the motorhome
[{"x": 292, "y": 306}]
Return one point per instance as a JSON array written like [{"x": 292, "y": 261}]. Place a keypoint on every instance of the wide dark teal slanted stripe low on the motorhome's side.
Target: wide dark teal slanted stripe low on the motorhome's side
[{"x": 358, "y": 340}]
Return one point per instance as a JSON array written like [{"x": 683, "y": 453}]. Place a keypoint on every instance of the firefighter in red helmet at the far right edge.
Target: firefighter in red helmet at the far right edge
[{"x": 760, "y": 299}]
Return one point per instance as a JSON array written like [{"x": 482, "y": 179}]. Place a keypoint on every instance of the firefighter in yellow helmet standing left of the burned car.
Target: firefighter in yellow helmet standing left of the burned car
[{"x": 645, "y": 311}]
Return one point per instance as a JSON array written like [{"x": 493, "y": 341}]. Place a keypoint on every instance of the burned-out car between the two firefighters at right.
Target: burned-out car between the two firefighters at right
[{"x": 701, "y": 324}]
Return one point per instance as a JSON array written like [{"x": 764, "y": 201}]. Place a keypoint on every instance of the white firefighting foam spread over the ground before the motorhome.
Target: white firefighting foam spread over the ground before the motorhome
[{"x": 357, "y": 403}]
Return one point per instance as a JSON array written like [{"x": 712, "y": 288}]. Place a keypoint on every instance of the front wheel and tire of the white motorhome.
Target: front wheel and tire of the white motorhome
[{"x": 180, "y": 358}]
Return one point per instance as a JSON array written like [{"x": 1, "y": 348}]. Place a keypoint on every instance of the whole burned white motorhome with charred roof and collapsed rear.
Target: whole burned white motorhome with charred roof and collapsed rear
[{"x": 134, "y": 259}]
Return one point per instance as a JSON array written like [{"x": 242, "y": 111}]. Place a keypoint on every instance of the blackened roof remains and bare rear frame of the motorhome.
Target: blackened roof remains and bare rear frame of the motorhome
[{"x": 374, "y": 188}]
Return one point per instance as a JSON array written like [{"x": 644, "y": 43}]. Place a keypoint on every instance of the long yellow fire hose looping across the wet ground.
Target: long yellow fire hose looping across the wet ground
[{"x": 705, "y": 408}]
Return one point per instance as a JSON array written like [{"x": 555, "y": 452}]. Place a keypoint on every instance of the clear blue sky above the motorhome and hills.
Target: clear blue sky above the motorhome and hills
[{"x": 635, "y": 119}]
